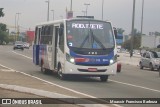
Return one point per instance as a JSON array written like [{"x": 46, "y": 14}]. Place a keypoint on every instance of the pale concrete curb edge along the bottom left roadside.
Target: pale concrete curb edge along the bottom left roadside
[{"x": 49, "y": 94}]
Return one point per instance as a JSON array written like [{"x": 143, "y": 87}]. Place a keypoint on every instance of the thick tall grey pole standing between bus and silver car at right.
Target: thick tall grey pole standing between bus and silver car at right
[{"x": 132, "y": 35}]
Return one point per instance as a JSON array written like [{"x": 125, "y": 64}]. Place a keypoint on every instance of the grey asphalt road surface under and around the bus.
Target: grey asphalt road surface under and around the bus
[{"x": 130, "y": 83}]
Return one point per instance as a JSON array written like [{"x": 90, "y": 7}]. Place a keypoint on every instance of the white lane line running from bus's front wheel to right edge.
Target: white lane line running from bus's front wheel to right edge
[{"x": 150, "y": 89}]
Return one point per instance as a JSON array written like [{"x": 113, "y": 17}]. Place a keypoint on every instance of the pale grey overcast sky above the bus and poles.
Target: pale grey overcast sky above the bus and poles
[{"x": 119, "y": 12}]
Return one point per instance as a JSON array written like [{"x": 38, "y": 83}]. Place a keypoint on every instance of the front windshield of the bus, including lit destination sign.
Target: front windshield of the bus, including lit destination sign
[{"x": 89, "y": 34}]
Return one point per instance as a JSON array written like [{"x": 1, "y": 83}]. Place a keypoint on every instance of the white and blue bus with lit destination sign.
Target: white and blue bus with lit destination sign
[{"x": 77, "y": 46}]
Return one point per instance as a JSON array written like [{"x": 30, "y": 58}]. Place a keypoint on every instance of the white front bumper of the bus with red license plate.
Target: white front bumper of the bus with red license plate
[{"x": 90, "y": 70}]
